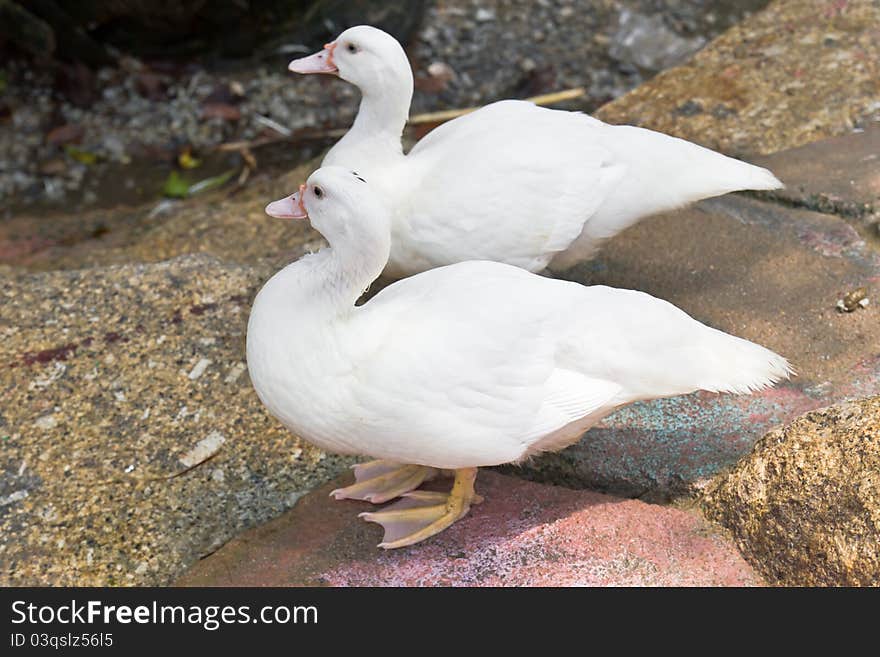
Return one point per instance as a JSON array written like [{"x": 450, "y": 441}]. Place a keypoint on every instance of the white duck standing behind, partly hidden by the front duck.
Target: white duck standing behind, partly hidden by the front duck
[{"x": 534, "y": 187}]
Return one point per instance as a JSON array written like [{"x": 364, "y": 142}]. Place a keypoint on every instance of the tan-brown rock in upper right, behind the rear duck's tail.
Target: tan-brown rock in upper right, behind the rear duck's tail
[{"x": 796, "y": 72}]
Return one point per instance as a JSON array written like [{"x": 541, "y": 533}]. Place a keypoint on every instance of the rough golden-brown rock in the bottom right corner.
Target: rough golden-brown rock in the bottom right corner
[{"x": 805, "y": 505}]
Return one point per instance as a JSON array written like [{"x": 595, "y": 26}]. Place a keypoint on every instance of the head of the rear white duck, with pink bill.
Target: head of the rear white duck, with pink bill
[{"x": 369, "y": 58}]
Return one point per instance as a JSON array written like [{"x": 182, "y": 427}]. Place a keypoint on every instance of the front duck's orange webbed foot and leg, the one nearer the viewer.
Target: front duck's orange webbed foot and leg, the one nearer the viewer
[{"x": 421, "y": 514}]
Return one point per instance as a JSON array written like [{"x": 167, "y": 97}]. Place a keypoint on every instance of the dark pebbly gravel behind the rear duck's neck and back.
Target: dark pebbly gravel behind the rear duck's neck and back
[{"x": 467, "y": 53}]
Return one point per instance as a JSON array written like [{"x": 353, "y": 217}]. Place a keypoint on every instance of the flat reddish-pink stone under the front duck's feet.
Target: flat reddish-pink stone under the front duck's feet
[{"x": 524, "y": 534}]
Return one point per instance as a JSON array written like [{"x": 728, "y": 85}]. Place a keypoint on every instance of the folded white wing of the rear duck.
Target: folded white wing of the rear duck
[{"x": 510, "y": 182}]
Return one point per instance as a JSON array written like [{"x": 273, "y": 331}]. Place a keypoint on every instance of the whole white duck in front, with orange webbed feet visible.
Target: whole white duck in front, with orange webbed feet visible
[{"x": 468, "y": 365}]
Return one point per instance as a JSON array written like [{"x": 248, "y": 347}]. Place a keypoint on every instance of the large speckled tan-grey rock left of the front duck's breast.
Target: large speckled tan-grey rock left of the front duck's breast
[{"x": 116, "y": 384}]
